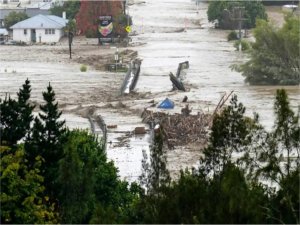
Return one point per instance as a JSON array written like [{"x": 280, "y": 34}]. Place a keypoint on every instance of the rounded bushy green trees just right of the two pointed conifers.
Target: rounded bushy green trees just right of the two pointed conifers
[{"x": 90, "y": 189}]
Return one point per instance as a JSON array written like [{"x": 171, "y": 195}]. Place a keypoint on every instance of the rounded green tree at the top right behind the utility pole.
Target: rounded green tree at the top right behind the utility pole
[{"x": 253, "y": 10}]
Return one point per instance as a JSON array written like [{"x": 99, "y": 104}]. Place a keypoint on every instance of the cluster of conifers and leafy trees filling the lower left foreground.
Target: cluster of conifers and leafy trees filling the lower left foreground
[{"x": 56, "y": 176}]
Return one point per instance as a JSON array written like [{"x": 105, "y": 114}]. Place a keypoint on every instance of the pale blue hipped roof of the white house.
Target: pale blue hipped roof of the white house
[{"x": 41, "y": 22}]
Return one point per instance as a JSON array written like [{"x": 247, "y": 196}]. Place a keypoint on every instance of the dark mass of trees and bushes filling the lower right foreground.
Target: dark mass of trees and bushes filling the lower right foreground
[{"x": 228, "y": 187}]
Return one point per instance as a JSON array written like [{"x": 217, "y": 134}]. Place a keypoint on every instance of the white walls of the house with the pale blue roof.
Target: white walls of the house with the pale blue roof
[{"x": 41, "y": 36}]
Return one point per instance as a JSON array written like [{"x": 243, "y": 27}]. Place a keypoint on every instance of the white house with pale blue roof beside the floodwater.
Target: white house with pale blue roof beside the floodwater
[{"x": 40, "y": 28}]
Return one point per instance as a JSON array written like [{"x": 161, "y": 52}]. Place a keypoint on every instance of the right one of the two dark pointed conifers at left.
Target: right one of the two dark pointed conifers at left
[{"x": 46, "y": 140}]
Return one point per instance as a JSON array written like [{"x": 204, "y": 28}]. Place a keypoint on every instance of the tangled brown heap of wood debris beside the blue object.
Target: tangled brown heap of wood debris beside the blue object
[{"x": 180, "y": 129}]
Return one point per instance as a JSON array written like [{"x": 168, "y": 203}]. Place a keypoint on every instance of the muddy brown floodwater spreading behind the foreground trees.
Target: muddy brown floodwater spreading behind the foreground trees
[{"x": 167, "y": 32}]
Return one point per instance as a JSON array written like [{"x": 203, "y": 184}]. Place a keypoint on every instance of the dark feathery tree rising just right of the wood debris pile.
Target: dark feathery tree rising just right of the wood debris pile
[{"x": 229, "y": 133}]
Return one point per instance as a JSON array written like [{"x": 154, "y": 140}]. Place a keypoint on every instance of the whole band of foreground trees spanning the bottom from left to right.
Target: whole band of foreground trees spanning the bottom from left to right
[{"x": 62, "y": 176}]
